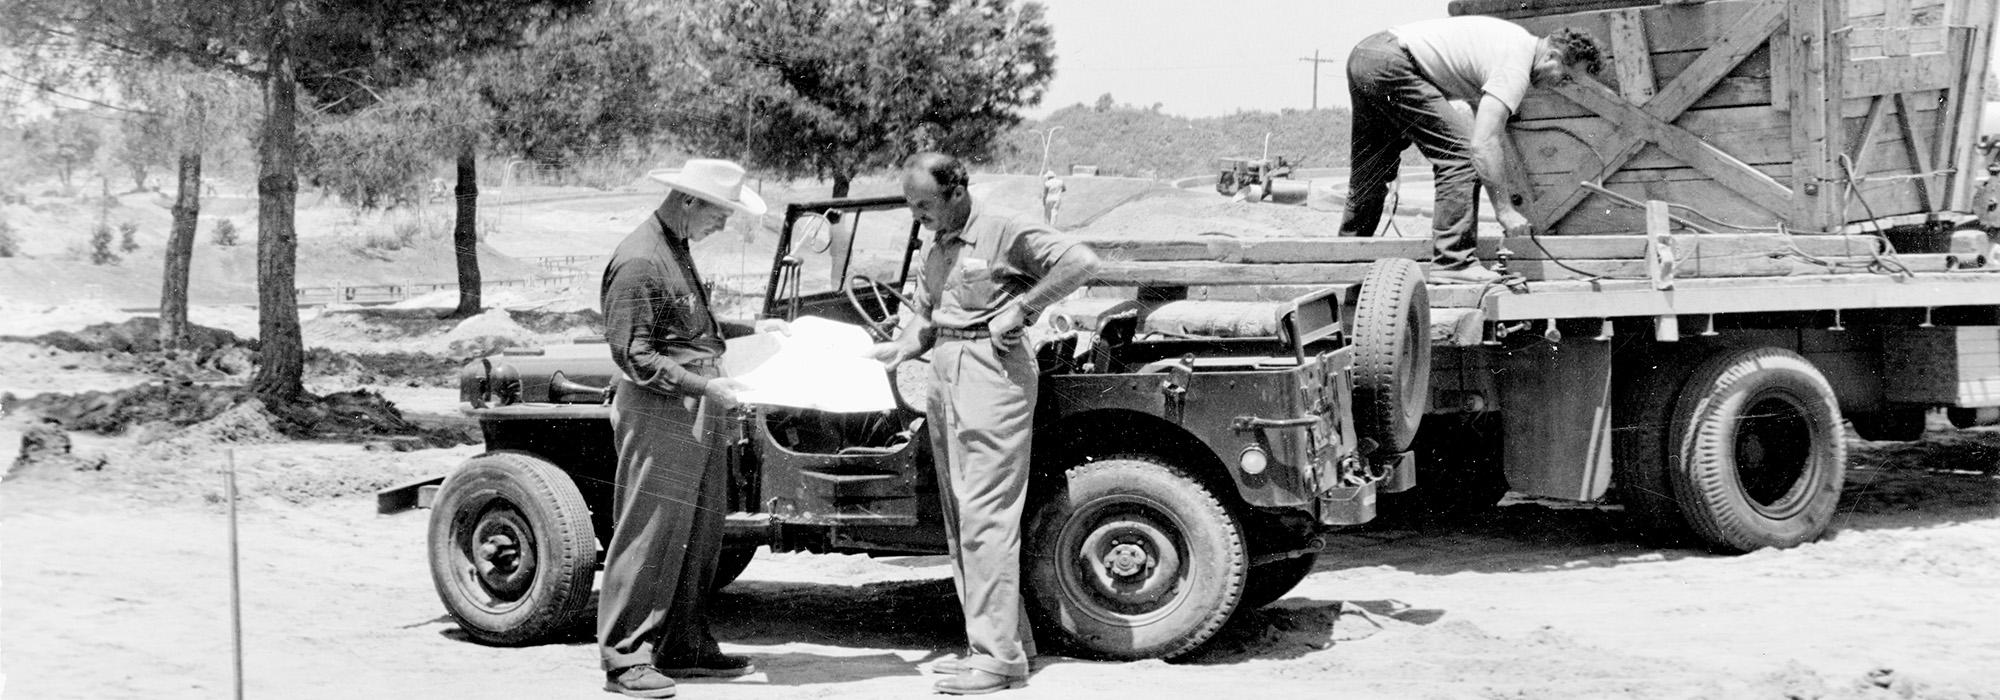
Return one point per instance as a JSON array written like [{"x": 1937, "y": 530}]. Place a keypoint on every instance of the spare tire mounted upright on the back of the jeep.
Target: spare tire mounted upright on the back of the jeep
[{"x": 1391, "y": 355}]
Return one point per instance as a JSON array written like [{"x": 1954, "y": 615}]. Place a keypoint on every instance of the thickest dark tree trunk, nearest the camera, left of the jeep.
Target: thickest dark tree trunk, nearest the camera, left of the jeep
[{"x": 281, "y": 345}]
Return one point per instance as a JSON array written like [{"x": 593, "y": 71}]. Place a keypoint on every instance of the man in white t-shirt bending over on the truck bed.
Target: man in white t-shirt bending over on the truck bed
[{"x": 1401, "y": 83}]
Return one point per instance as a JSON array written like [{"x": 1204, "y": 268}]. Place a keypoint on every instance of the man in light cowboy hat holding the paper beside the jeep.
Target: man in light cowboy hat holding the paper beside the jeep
[{"x": 671, "y": 429}]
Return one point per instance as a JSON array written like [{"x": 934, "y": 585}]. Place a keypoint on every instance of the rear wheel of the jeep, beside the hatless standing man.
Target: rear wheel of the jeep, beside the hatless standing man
[{"x": 1131, "y": 559}]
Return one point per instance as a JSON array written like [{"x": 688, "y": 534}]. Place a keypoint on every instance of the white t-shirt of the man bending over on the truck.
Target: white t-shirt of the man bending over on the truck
[{"x": 1469, "y": 57}]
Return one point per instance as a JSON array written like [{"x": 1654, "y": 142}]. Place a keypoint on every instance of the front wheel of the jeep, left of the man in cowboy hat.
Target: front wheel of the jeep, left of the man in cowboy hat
[{"x": 511, "y": 549}]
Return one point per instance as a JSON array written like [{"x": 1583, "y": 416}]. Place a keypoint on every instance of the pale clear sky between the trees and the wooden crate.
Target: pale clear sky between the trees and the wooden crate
[{"x": 1213, "y": 57}]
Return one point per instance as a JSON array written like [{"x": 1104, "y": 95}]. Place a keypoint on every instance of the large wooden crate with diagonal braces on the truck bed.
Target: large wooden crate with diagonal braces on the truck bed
[{"x": 1737, "y": 111}]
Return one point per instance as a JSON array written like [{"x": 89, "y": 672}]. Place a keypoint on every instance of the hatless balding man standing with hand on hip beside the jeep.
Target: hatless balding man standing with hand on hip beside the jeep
[{"x": 985, "y": 281}]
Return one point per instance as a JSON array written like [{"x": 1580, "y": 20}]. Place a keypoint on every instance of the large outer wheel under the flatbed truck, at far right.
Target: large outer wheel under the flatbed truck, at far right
[{"x": 1759, "y": 453}]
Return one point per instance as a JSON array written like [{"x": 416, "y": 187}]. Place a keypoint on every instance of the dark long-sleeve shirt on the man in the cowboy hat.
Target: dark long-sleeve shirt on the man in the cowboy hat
[{"x": 657, "y": 317}]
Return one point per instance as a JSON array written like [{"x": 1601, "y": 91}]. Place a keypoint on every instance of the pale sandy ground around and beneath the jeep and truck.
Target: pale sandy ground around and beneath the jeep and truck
[{"x": 115, "y": 585}]
